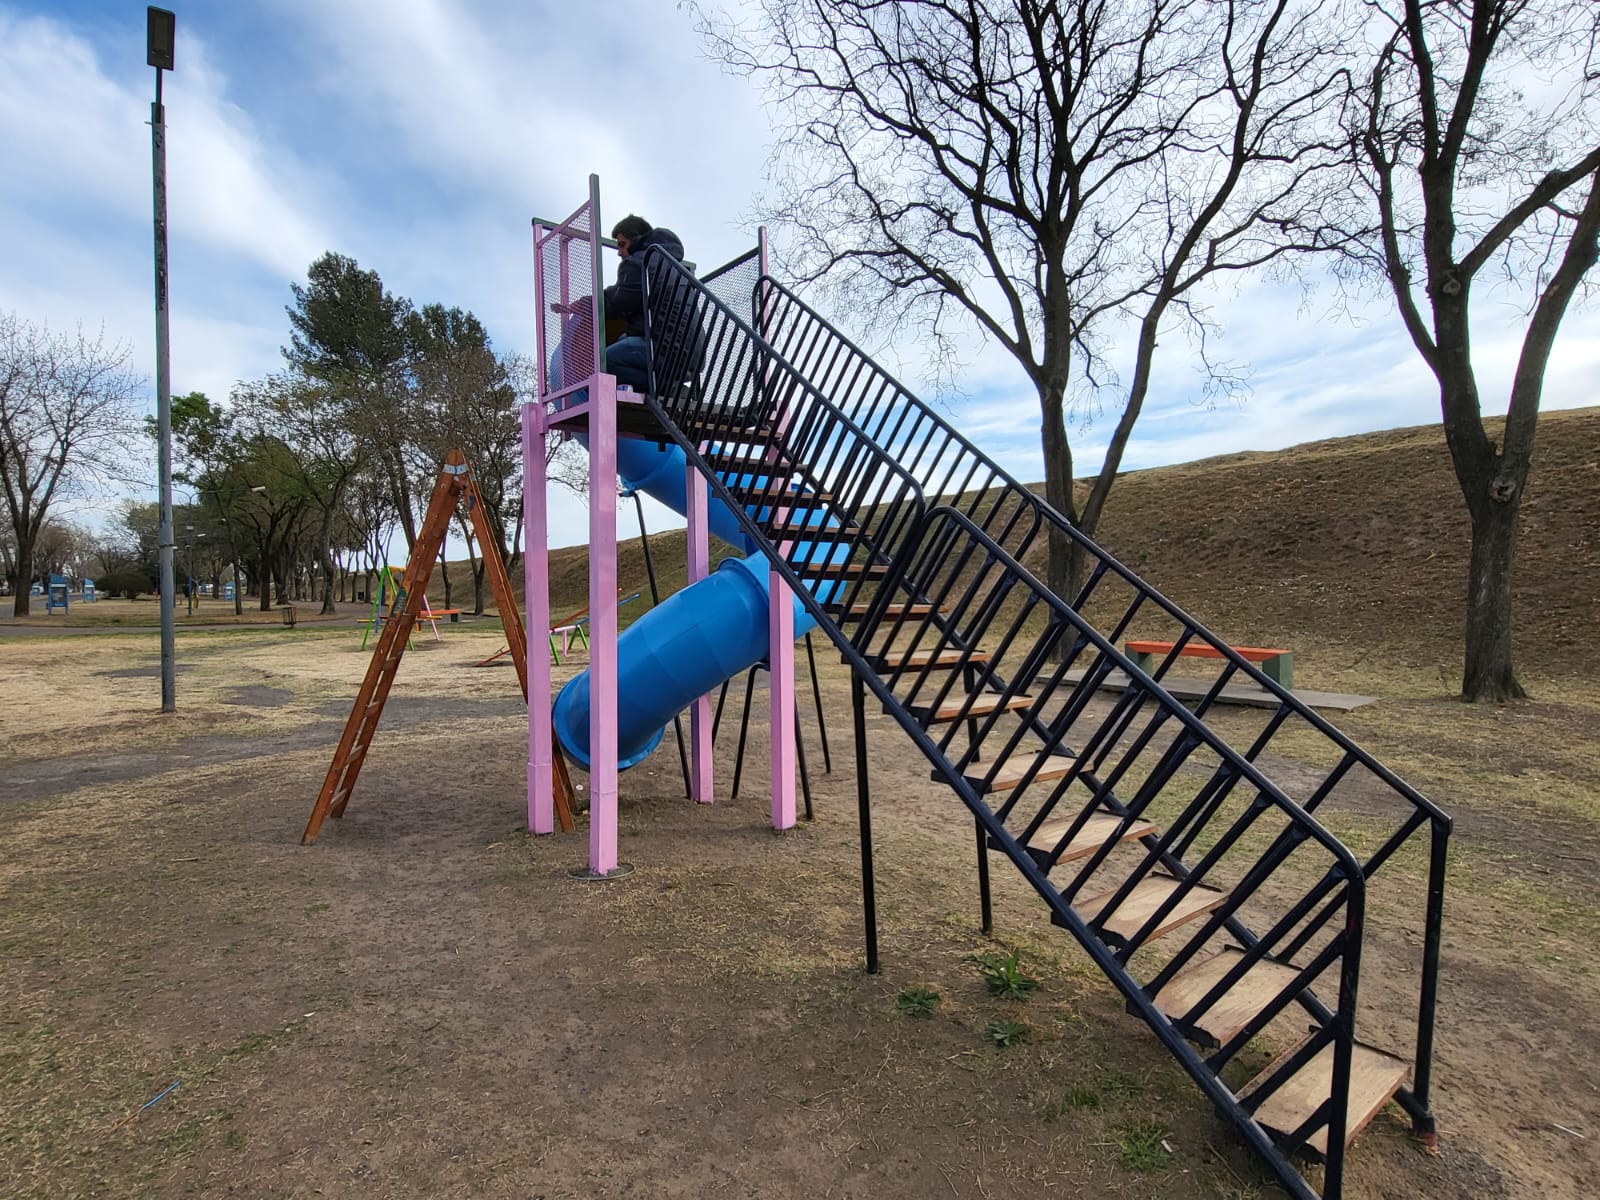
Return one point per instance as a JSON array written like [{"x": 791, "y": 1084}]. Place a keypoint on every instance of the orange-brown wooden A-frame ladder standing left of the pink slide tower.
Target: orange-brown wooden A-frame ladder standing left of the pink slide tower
[{"x": 455, "y": 489}]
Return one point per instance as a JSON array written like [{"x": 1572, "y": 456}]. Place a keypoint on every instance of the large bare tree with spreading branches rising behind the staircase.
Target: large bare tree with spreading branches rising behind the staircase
[{"x": 1046, "y": 170}]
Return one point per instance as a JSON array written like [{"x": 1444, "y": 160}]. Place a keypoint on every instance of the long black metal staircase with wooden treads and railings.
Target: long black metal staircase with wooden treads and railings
[{"x": 1182, "y": 846}]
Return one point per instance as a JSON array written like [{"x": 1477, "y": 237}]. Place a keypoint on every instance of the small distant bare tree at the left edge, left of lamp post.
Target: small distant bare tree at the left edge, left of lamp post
[{"x": 66, "y": 423}]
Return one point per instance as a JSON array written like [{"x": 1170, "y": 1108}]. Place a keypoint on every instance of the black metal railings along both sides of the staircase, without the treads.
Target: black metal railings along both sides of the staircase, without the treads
[{"x": 879, "y": 478}]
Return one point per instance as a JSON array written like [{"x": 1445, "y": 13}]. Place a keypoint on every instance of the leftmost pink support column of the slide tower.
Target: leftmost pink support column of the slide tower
[{"x": 537, "y": 602}]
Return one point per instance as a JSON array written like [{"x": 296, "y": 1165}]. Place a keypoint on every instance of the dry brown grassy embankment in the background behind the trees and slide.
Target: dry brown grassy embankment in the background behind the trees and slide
[{"x": 1350, "y": 551}]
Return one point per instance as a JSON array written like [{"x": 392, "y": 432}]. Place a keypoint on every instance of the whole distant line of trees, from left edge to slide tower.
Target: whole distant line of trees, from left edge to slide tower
[{"x": 302, "y": 484}]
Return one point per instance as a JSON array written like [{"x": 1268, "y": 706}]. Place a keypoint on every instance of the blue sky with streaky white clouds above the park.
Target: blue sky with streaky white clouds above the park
[{"x": 422, "y": 137}]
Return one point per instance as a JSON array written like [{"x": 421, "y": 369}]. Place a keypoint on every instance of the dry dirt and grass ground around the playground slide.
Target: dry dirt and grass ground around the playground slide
[{"x": 428, "y": 1004}]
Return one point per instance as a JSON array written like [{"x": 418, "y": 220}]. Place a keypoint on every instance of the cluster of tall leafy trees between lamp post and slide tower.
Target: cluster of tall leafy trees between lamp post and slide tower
[{"x": 310, "y": 476}]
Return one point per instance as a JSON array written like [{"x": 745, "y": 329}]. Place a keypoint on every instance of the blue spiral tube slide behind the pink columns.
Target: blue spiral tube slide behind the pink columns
[{"x": 694, "y": 641}]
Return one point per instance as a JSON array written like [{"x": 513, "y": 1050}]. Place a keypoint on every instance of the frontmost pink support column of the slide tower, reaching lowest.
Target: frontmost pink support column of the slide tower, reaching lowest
[{"x": 602, "y": 625}]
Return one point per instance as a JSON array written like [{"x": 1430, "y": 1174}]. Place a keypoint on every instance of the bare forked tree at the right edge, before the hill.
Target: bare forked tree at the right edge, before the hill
[{"x": 1478, "y": 137}]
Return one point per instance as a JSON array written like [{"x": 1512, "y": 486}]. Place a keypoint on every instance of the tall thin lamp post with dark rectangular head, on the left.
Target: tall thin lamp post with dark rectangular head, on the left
[{"x": 161, "y": 34}]
